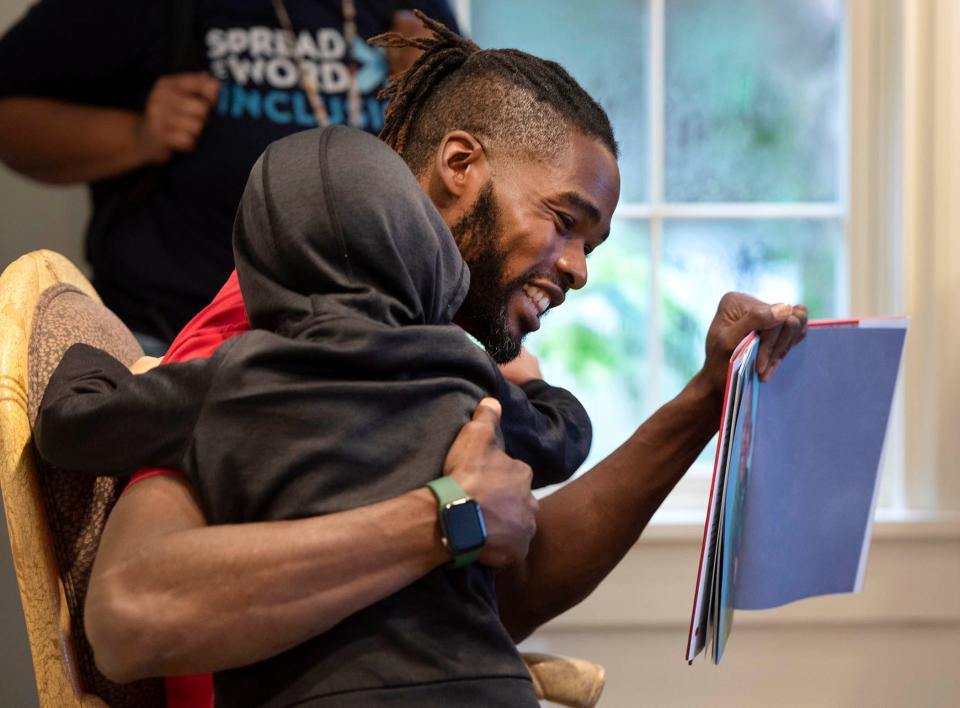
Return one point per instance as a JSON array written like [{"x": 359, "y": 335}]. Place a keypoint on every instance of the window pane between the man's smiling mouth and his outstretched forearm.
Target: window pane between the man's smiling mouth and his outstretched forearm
[{"x": 596, "y": 344}]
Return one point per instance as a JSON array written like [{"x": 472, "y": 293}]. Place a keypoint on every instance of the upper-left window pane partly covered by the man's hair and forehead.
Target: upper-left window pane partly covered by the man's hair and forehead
[{"x": 604, "y": 47}]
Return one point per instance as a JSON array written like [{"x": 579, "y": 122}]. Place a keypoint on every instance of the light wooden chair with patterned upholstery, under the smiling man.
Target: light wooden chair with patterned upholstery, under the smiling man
[{"x": 55, "y": 518}]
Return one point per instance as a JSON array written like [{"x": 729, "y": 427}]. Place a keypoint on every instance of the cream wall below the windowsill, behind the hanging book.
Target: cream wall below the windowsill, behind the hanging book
[{"x": 893, "y": 645}]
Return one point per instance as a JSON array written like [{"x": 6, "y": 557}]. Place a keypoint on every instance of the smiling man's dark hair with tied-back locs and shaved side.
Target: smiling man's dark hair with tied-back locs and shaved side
[{"x": 509, "y": 99}]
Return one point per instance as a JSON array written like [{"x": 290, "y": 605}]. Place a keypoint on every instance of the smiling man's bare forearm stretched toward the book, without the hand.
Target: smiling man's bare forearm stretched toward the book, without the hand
[{"x": 585, "y": 528}]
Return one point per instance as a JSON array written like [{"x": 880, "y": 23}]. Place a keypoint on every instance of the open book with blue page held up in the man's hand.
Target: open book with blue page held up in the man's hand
[{"x": 796, "y": 474}]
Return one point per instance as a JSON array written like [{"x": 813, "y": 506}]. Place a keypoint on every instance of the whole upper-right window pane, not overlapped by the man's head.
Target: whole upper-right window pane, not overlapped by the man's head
[{"x": 752, "y": 100}]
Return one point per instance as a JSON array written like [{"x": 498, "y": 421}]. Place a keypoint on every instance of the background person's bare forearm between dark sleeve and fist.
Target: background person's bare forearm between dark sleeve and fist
[{"x": 61, "y": 143}]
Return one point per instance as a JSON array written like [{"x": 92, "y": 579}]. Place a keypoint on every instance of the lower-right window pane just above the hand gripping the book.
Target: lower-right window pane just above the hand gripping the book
[{"x": 776, "y": 260}]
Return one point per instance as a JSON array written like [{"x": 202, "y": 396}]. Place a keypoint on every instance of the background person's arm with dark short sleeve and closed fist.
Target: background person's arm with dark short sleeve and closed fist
[{"x": 67, "y": 68}]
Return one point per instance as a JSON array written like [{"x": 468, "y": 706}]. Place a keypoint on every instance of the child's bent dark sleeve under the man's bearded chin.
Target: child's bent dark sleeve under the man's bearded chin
[{"x": 546, "y": 427}]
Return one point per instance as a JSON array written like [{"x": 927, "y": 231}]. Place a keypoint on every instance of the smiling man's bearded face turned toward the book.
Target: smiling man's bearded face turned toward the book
[{"x": 526, "y": 239}]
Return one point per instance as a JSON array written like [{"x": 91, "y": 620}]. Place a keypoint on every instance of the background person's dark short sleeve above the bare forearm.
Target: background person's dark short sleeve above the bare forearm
[{"x": 95, "y": 51}]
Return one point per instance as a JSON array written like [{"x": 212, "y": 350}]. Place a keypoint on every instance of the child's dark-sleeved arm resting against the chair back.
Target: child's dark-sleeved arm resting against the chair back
[{"x": 96, "y": 416}]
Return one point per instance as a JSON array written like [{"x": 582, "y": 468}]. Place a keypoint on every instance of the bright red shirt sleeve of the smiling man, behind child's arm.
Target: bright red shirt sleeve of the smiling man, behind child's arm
[{"x": 223, "y": 318}]
